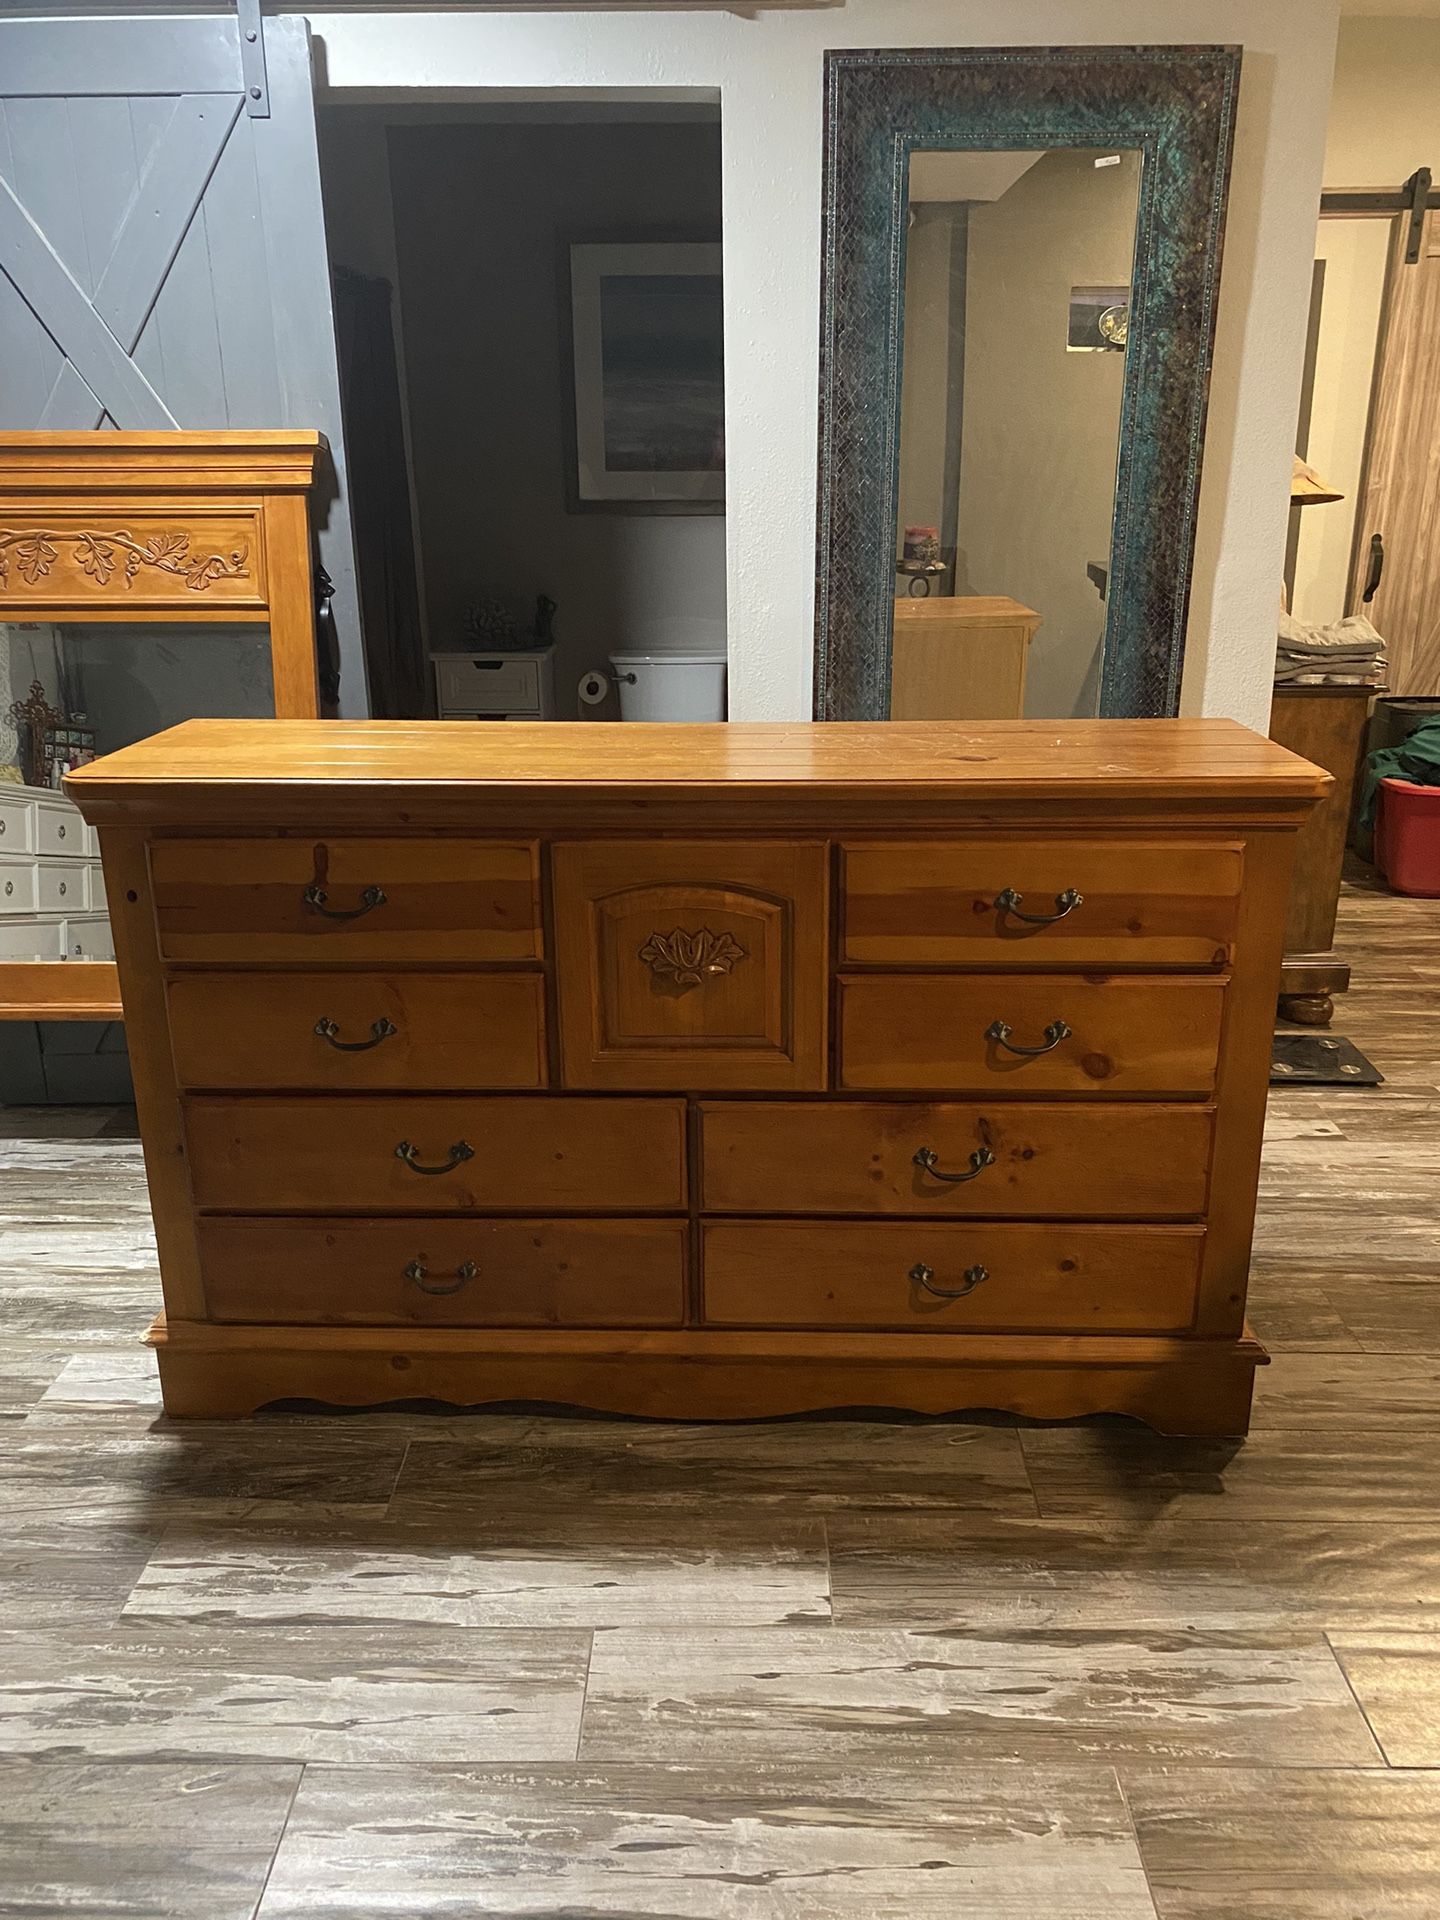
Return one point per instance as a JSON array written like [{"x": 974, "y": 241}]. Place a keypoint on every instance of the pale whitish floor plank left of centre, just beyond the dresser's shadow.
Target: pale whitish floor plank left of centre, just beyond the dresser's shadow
[{"x": 552, "y": 1570}]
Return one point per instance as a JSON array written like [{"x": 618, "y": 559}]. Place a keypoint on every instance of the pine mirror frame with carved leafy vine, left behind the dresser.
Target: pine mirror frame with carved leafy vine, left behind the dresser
[{"x": 158, "y": 529}]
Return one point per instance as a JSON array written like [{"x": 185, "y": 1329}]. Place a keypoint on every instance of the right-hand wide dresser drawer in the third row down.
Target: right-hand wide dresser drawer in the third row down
[{"x": 1013, "y": 1159}]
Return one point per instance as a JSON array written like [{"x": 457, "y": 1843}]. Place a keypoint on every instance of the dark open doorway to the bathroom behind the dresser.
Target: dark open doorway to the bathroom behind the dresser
[{"x": 546, "y": 375}]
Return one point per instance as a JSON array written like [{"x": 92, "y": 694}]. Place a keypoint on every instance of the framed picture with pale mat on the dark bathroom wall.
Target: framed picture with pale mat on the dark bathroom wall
[{"x": 646, "y": 362}]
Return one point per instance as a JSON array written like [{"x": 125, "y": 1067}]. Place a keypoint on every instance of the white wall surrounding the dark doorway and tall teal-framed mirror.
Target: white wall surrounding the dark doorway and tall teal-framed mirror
[{"x": 769, "y": 74}]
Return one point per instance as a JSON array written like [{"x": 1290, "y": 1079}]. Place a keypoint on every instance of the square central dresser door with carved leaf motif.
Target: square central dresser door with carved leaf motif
[{"x": 692, "y": 965}]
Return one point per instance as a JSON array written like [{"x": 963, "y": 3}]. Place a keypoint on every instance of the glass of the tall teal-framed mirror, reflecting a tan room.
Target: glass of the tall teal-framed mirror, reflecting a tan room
[{"x": 1017, "y": 324}]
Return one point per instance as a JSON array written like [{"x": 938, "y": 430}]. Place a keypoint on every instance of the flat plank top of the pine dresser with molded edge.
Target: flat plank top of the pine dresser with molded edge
[{"x": 268, "y": 769}]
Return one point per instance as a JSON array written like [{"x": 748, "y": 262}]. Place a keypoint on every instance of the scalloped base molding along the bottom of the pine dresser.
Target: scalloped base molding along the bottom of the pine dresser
[{"x": 1178, "y": 1387}]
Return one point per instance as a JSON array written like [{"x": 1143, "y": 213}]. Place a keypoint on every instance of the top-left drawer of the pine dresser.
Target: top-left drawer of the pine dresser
[{"x": 347, "y": 900}]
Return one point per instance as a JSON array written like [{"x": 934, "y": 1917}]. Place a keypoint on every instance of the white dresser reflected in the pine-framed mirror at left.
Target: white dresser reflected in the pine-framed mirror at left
[{"x": 53, "y": 898}]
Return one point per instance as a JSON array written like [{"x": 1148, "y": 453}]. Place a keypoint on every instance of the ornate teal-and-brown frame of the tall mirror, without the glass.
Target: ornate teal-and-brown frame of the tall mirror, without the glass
[{"x": 1176, "y": 105}]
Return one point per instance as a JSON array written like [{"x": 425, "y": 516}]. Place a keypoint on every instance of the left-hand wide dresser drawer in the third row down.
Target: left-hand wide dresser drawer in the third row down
[{"x": 519, "y": 1155}]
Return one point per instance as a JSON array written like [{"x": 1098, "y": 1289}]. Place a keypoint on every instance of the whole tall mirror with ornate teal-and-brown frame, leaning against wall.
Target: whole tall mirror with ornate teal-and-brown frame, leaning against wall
[{"x": 1022, "y": 249}]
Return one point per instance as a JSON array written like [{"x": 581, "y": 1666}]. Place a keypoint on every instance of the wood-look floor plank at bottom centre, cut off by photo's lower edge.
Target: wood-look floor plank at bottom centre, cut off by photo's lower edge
[{"x": 790, "y": 1840}]
